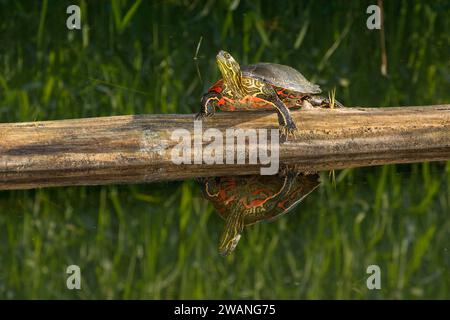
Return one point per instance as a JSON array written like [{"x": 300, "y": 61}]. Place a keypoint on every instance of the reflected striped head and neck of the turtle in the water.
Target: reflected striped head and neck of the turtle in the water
[{"x": 234, "y": 224}]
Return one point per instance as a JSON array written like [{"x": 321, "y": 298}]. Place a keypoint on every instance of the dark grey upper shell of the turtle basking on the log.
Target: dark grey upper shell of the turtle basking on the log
[{"x": 281, "y": 76}]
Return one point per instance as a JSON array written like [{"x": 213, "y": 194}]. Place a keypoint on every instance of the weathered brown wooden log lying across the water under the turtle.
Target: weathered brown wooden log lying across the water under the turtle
[{"x": 137, "y": 148}]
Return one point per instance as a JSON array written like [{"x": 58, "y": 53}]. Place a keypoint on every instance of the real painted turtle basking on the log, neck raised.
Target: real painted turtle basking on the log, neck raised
[{"x": 261, "y": 86}]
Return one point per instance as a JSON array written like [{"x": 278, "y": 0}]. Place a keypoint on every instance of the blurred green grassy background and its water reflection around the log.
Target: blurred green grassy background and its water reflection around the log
[{"x": 160, "y": 240}]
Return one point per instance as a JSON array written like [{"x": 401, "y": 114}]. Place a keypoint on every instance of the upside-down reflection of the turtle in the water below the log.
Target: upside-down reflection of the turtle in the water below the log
[{"x": 245, "y": 200}]
